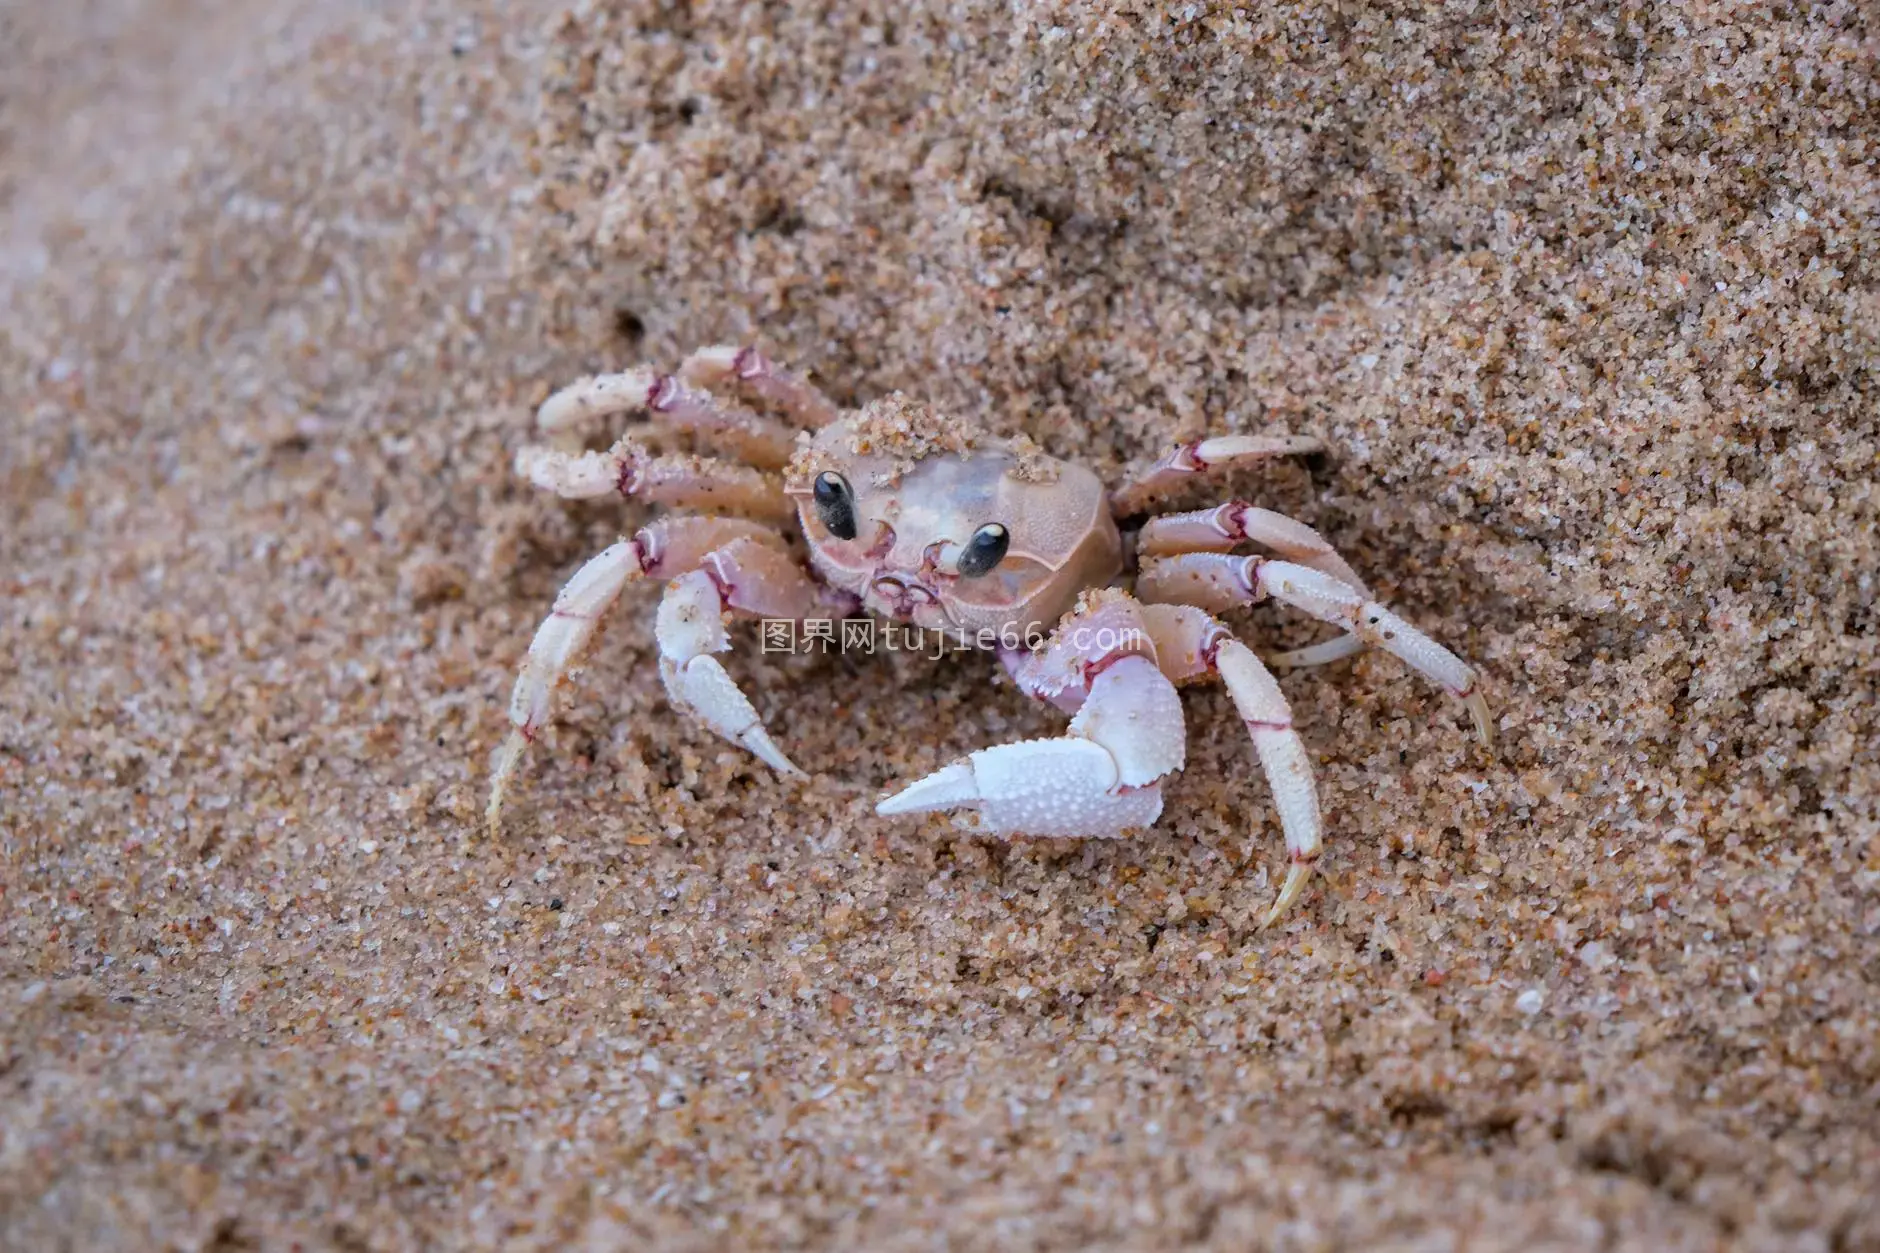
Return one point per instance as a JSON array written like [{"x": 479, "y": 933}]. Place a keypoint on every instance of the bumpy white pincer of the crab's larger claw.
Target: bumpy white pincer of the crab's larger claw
[{"x": 1041, "y": 787}]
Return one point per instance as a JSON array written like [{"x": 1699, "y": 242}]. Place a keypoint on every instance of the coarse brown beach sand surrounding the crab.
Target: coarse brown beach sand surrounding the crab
[{"x": 1588, "y": 308}]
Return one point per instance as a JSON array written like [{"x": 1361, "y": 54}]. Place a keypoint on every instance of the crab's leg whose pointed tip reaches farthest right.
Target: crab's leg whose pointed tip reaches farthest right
[{"x": 1221, "y": 582}]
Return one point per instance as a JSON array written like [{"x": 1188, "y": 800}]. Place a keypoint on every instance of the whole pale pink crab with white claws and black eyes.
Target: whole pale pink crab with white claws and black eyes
[{"x": 920, "y": 518}]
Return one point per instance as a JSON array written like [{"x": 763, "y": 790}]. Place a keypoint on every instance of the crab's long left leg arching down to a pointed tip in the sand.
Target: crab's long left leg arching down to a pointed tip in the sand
[{"x": 670, "y": 545}]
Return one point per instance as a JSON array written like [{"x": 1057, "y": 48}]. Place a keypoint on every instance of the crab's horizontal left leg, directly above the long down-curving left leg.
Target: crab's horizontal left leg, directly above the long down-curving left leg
[{"x": 633, "y": 471}]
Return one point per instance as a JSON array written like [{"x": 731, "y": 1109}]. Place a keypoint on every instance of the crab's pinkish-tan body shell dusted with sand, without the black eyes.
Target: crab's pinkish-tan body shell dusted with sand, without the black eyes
[{"x": 924, "y": 486}]
